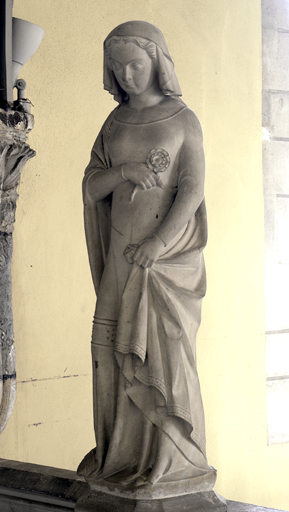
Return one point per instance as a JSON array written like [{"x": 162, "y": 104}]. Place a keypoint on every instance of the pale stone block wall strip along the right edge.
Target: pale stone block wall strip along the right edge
[{"x": 276, "y": 201}]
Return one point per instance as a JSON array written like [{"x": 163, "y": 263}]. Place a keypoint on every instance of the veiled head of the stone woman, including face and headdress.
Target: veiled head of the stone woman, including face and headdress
[{"x": 135, "y": 56}]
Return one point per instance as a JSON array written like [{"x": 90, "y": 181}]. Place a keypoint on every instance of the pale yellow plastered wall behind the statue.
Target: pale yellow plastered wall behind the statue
[{"x": 216, "y": 46}]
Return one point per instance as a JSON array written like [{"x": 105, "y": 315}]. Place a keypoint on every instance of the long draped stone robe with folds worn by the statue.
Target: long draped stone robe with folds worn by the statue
[{"x": 148, "y": 411}]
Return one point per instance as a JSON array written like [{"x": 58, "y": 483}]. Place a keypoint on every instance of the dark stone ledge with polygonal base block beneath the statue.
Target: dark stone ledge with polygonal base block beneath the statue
[{"x": 32, "y": 488}]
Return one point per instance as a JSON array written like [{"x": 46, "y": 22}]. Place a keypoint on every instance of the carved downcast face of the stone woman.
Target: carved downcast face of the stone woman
[{"x": 133, "y": 68}]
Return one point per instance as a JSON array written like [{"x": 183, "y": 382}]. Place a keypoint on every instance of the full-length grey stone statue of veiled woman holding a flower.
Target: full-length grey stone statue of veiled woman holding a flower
[{"x": 145, "y": 222}]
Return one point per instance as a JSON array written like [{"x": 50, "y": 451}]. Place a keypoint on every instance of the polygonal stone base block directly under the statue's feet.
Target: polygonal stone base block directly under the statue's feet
[{"x": 198, "y": 502}]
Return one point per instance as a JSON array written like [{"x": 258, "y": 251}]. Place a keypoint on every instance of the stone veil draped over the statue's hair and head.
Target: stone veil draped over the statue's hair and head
[{"x": 167, "y": 77}]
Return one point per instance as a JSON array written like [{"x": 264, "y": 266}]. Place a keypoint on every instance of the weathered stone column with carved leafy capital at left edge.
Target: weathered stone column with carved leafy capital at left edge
[{"x": 14, "y": 153}]
